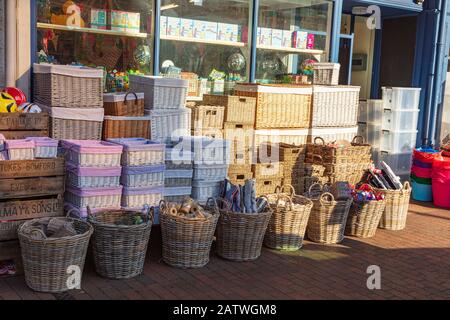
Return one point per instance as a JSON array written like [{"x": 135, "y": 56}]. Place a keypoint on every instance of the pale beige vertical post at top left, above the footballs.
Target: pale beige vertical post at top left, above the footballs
[{"x": 11, "y": 37}]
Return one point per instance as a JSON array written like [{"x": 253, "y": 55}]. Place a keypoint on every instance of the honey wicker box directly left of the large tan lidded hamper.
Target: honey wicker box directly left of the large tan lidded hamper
[{"x": 237, "y": 109}]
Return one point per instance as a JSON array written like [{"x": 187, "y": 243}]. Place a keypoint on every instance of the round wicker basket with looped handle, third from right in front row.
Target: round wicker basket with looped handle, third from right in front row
[{"x": 328, "y": 219}]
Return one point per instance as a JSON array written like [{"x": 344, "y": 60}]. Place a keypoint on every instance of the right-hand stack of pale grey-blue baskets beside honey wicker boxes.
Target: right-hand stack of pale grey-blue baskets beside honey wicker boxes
[{"x": 211, "y": 159}]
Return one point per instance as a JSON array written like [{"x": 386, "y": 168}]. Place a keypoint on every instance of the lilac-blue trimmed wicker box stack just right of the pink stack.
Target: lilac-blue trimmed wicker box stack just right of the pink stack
[{"x": 143, "y": 167}]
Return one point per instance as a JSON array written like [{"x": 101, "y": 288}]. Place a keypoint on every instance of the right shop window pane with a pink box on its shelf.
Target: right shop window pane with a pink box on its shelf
[{"x": 291, "y": 35}]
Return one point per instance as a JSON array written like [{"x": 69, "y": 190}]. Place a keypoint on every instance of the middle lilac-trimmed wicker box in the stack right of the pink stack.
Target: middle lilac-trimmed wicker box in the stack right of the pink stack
[{"x": 145, "y": 176}]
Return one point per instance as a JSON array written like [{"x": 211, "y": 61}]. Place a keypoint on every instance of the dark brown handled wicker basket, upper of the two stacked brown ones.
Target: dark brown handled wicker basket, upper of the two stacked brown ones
[{"x": 124, "y": 104}]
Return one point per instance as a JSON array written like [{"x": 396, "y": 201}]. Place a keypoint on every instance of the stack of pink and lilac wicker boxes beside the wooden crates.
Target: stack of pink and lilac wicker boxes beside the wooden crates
[{"x": 93, "y": 176}]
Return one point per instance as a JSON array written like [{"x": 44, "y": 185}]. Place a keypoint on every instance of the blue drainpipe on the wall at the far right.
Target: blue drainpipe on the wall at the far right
[{"x": 437, "y": 89}]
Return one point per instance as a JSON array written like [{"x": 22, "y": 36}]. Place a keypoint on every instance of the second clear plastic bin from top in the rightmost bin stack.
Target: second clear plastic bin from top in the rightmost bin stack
[{"x": 400, "y": 120}]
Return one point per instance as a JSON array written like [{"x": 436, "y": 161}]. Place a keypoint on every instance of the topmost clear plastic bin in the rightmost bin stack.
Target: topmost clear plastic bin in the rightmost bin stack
[{"x": 395, "y": 98}]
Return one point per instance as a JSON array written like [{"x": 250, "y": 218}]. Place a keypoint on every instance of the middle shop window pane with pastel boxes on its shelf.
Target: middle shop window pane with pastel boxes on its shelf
[{"x": 206, "y": 40}]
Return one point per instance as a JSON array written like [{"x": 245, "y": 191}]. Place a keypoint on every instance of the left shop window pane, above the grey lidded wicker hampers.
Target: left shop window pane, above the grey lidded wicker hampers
[{"x": 111, "y": 34}]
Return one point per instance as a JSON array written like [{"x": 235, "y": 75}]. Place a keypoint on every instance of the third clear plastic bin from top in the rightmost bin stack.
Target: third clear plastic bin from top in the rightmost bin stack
[{"x": 398, "y": 141}]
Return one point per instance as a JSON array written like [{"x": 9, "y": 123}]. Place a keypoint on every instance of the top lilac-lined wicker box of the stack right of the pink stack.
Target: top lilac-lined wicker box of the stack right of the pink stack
[{"x": 141, "y": 152}]
